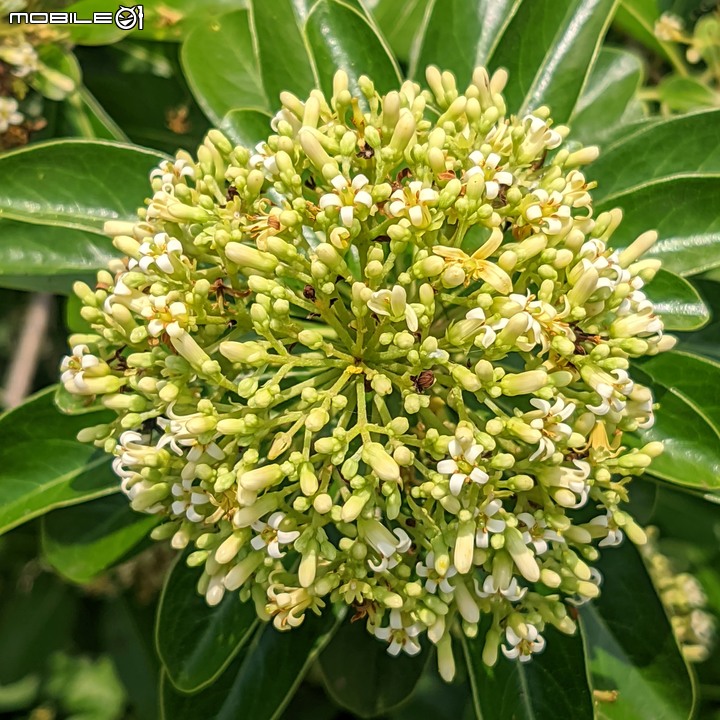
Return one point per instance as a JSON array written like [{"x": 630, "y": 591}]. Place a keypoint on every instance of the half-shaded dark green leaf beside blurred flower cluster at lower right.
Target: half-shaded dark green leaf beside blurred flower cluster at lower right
[{"x": 630, "y": 645}]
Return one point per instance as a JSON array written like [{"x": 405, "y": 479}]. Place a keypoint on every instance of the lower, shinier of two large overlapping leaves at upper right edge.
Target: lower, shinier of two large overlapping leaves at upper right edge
[{"x": 684, "y": 212}]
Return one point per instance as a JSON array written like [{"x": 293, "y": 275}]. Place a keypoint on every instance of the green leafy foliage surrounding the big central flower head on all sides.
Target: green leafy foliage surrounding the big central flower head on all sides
[{"x": 86, "y": 630}]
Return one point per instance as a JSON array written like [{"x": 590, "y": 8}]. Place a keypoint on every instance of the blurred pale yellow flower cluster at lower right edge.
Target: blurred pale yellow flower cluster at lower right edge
[{"x": 684, "y": 600}]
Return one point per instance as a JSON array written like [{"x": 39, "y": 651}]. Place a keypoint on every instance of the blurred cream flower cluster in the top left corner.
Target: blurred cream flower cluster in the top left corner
[{"x": 27, "y": 54}]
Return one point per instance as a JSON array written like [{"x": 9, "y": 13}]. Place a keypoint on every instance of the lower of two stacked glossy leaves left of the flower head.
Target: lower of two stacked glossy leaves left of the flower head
[{"x": 29, "y": 254}]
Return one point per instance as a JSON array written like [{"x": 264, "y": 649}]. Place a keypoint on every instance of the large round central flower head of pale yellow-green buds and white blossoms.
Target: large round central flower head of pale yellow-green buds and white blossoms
[{"x": 380, "y": 360}]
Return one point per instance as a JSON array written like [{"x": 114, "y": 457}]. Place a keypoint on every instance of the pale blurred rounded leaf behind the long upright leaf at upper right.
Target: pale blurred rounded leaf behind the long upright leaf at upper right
[{"x": 605, "y": 101}]
